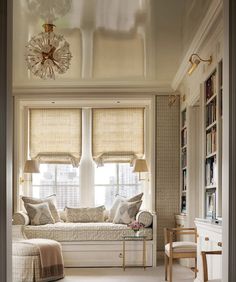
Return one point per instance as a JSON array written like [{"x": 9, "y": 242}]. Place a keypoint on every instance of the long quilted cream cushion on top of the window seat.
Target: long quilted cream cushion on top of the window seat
[{"x": 99, "y": 231}]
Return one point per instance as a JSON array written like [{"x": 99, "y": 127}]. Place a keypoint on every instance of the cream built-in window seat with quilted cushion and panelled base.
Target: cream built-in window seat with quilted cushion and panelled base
[{"x": 95, "y": 244}]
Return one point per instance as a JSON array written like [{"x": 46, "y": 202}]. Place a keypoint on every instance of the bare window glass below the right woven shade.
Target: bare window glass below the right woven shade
[{"x": 112, "y": 179}]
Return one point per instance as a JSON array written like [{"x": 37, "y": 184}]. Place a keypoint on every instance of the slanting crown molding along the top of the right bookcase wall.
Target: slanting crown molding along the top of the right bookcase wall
[{"x": 203, "y": 31}]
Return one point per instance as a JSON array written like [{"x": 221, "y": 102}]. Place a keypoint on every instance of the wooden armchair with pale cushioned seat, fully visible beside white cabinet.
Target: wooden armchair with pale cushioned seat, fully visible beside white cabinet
[{"x": 179, "y": 249}]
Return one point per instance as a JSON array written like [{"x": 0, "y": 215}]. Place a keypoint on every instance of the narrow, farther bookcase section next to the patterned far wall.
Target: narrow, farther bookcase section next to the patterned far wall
[{"x": 183, "y": 149}]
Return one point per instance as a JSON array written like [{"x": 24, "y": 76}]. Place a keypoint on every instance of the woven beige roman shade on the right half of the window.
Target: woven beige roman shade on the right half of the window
[{"x": 117, "y": 135}]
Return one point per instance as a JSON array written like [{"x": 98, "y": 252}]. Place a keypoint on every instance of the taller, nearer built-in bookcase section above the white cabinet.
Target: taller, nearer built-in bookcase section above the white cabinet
[{"x": 212, "y": 104}]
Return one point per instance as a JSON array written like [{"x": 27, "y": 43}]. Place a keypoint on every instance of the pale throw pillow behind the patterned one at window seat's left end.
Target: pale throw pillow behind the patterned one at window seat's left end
[{"x": 51, "y": 200}]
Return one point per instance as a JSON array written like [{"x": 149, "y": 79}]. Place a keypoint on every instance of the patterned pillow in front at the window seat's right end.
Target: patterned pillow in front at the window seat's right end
[{"x": 126, "y": 212}]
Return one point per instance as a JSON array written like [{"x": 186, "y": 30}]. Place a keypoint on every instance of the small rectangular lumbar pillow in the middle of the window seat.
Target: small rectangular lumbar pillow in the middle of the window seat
[{"x": 85, "y": 214}]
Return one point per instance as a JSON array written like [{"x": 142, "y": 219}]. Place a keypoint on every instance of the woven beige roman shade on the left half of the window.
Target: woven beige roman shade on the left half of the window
[{"x": 55, "y": 135}]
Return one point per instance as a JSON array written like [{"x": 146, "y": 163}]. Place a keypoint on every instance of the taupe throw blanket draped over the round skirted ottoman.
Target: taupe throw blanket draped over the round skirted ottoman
[{"x": 52, "y": 265}]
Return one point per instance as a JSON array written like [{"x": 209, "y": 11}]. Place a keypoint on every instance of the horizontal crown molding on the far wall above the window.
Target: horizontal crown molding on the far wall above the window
[{"x": 151, "y": 87}]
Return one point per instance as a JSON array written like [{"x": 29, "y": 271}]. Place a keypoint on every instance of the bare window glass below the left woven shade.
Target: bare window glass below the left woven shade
[{"x": 59, "y": 179}]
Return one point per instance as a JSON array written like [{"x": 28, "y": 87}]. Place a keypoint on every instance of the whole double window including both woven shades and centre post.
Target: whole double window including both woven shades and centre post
[{"x": 53, "y": 139}]
